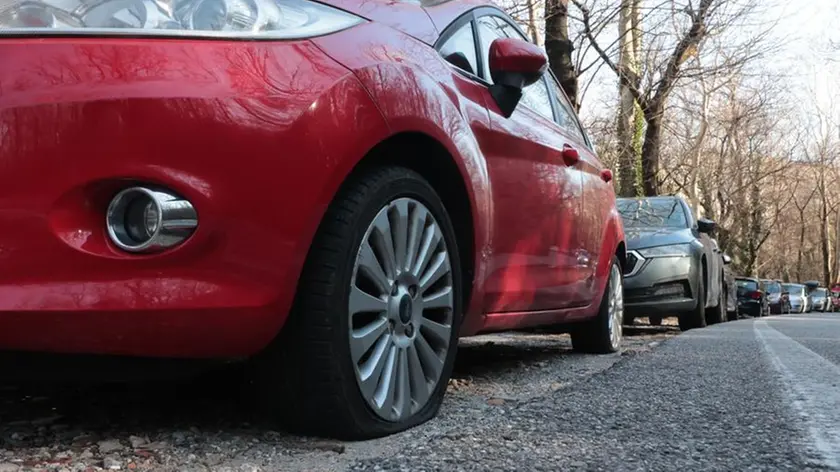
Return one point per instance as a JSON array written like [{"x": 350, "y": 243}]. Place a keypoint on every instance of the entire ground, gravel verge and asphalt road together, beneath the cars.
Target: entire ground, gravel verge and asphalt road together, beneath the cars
[{"x": 749, "y": 395}]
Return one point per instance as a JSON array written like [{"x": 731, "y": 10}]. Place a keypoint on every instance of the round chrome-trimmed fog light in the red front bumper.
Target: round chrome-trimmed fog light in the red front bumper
[{"x": 142, "y": 219}]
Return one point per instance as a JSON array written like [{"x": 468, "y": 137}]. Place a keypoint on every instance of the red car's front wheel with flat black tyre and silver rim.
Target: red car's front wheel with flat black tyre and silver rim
[{"x": 370, "y": 344}]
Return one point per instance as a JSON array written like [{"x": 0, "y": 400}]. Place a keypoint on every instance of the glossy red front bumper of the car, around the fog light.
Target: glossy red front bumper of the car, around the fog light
[{"x": 255, "y": 135}]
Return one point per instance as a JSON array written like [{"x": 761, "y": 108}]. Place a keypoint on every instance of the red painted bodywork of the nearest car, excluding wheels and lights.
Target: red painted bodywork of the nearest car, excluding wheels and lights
[{"x": 256, "y": 135}]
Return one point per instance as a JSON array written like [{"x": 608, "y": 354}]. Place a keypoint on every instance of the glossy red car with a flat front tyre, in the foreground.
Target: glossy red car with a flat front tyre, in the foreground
[{"x": 337, "y": 190}]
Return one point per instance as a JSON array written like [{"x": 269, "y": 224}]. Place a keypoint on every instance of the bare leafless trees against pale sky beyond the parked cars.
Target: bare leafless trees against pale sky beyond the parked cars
[{"x": 708, "y": 99}]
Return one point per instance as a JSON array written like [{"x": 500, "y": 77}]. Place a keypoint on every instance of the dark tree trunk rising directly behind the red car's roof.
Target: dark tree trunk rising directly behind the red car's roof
[{"x": 559, "y": 47}]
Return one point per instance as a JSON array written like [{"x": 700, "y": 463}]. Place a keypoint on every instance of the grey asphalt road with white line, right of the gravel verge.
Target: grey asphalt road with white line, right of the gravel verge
[{"x": 748, "y": 395}]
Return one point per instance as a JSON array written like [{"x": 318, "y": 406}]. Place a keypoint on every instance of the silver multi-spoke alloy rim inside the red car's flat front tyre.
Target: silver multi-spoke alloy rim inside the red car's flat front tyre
[{"x": 401, "y": 308}]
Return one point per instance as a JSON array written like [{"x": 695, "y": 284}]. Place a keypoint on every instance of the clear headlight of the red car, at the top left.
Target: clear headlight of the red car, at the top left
[{"x": 248, "y": 19}]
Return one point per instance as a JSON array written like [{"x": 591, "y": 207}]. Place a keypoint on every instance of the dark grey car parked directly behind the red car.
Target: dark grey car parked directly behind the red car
[{"x": 673, "y": 266}]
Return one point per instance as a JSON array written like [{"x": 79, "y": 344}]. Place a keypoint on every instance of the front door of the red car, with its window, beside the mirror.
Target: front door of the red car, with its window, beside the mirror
[{"x": 536, "y": 261}]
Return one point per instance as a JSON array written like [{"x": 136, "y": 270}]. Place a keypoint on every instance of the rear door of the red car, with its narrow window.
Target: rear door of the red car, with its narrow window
[{"x": 597, "y": 194}]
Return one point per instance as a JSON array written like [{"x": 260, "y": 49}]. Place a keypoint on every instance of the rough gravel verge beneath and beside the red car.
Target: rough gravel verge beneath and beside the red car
[{"x": 175, "y": 425}]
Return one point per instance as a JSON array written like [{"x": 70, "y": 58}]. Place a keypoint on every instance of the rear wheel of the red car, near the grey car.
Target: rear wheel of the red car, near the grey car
[{"x": 603, "y": 334}]
